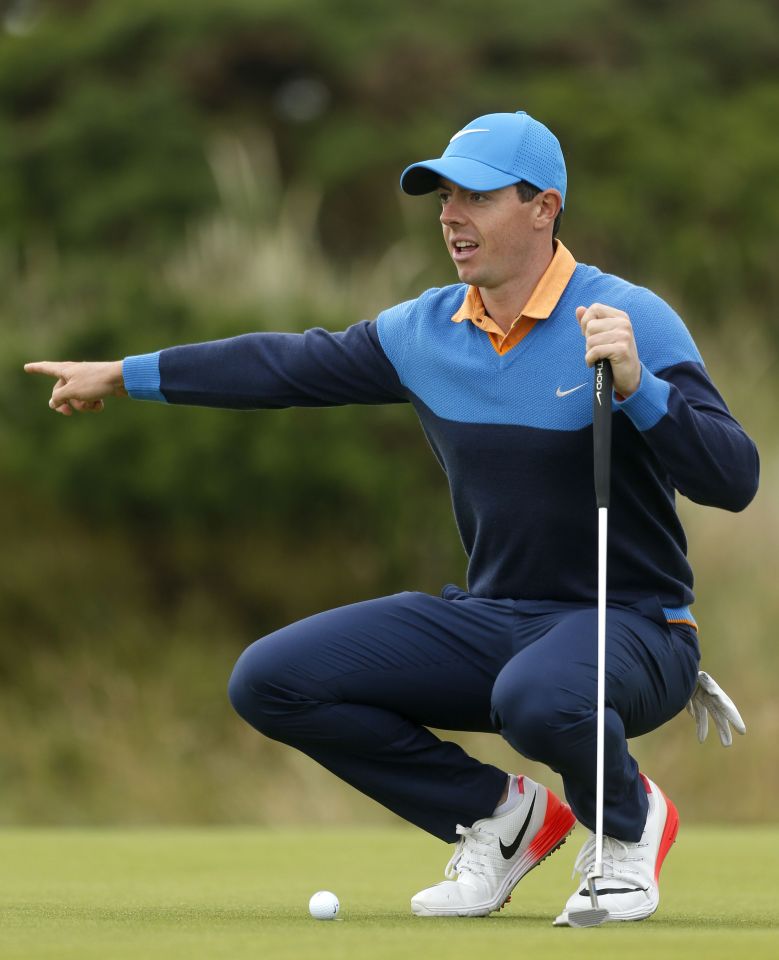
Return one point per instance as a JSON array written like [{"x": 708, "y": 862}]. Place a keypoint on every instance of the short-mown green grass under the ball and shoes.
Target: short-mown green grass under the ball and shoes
[{"x": 243, "y": 893}]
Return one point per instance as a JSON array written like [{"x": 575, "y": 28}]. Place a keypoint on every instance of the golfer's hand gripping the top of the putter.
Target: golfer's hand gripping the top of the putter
[{"x": 609, "y": 336}]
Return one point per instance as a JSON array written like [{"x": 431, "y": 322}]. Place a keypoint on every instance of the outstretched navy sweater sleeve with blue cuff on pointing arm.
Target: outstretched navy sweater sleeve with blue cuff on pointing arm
[{"x": 270, "y": 370}]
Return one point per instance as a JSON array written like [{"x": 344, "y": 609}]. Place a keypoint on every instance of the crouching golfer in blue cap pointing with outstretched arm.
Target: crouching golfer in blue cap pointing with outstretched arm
[{"x": 499, "y": 370}]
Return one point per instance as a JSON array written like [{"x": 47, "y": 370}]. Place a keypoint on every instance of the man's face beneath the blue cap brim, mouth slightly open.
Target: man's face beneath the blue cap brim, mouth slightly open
[{"x": 488, "y": 235}]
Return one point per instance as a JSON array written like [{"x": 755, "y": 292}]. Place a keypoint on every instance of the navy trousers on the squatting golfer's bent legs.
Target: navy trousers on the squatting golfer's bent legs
[{"x": 356, "y": 689}]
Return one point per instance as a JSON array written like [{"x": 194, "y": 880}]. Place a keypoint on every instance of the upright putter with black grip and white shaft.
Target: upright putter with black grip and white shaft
[{"x": 594, "y": 915}]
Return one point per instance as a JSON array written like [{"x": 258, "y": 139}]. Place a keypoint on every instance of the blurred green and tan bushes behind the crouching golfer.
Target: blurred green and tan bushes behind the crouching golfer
[{"x": 182, "y": 170}]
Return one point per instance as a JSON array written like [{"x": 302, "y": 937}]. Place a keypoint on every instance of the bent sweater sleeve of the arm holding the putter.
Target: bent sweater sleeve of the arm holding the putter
[{"x": 682, "y": 417}]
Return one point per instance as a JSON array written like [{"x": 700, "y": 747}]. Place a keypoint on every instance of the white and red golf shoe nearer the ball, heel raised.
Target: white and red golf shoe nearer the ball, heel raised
[{"x": 493, "y": 855}]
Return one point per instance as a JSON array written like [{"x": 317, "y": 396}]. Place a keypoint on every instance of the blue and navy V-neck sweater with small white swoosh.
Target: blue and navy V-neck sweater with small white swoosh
[{"x": 510, "y": 431}]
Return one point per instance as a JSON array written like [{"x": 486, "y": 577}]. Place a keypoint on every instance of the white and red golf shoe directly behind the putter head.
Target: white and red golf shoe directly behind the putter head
[{"x": 629, "y": 888}]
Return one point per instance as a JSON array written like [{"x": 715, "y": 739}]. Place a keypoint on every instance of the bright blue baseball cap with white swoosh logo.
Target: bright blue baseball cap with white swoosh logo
[{"x": 494, "y": 151}]
